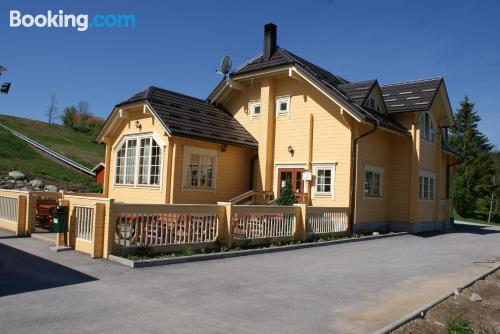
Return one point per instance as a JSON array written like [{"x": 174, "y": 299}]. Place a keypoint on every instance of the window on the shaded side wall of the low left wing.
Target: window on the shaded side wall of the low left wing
[{"x": 199, "y": 168}]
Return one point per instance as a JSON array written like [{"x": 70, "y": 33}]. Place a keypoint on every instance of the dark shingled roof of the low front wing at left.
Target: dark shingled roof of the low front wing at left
[{"x": 186, "y": 116}]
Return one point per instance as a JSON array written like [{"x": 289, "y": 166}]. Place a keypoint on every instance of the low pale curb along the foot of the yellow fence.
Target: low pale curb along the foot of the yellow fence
[{"x": 215, "y": 256}]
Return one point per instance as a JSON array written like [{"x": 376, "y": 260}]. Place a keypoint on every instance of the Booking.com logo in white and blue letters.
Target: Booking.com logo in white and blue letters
[{"x": 61, "y": 20}]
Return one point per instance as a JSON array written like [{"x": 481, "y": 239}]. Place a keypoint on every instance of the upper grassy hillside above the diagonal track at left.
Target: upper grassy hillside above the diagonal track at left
[{"x": 75, "y": 145}]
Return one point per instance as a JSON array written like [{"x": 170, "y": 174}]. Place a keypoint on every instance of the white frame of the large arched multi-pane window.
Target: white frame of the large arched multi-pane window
[{"x": 138, "y": 138}]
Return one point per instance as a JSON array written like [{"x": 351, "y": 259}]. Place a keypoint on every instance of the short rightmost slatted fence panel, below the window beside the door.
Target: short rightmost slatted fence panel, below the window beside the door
[{"x": 326, "y": 219}]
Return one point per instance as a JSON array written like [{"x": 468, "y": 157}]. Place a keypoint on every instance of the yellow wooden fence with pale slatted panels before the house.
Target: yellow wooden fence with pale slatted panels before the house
[{"x": 99, "y": 227}]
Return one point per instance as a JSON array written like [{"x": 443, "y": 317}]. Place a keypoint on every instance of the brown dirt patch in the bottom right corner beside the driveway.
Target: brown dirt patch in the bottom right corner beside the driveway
[{"x": 481, "y": 316}]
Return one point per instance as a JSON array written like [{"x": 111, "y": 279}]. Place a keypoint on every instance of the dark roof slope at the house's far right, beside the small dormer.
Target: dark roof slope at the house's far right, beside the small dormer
[{"x": 410, "y": 96}]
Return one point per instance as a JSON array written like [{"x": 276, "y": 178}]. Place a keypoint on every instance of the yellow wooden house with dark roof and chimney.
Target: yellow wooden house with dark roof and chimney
[{"x": 379, "y": 150}]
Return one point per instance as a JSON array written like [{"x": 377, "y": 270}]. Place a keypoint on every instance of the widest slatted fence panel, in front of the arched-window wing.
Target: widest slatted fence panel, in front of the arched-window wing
[{"x": 162, "y": 225}]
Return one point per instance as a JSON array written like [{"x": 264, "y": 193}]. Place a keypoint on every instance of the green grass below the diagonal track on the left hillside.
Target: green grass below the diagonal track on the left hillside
[{"x": 15, "y": 154}]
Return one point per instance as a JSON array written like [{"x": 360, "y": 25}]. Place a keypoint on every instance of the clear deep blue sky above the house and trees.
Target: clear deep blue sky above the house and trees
[{"x": 177, "y": 45}]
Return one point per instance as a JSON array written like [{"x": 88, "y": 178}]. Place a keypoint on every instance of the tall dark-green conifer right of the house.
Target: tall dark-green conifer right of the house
[{"x": 473, "y": 177}]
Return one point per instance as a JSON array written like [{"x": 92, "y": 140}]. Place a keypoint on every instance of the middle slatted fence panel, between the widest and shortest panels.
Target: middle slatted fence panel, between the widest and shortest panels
[{"x": 257, "y": 221}]
